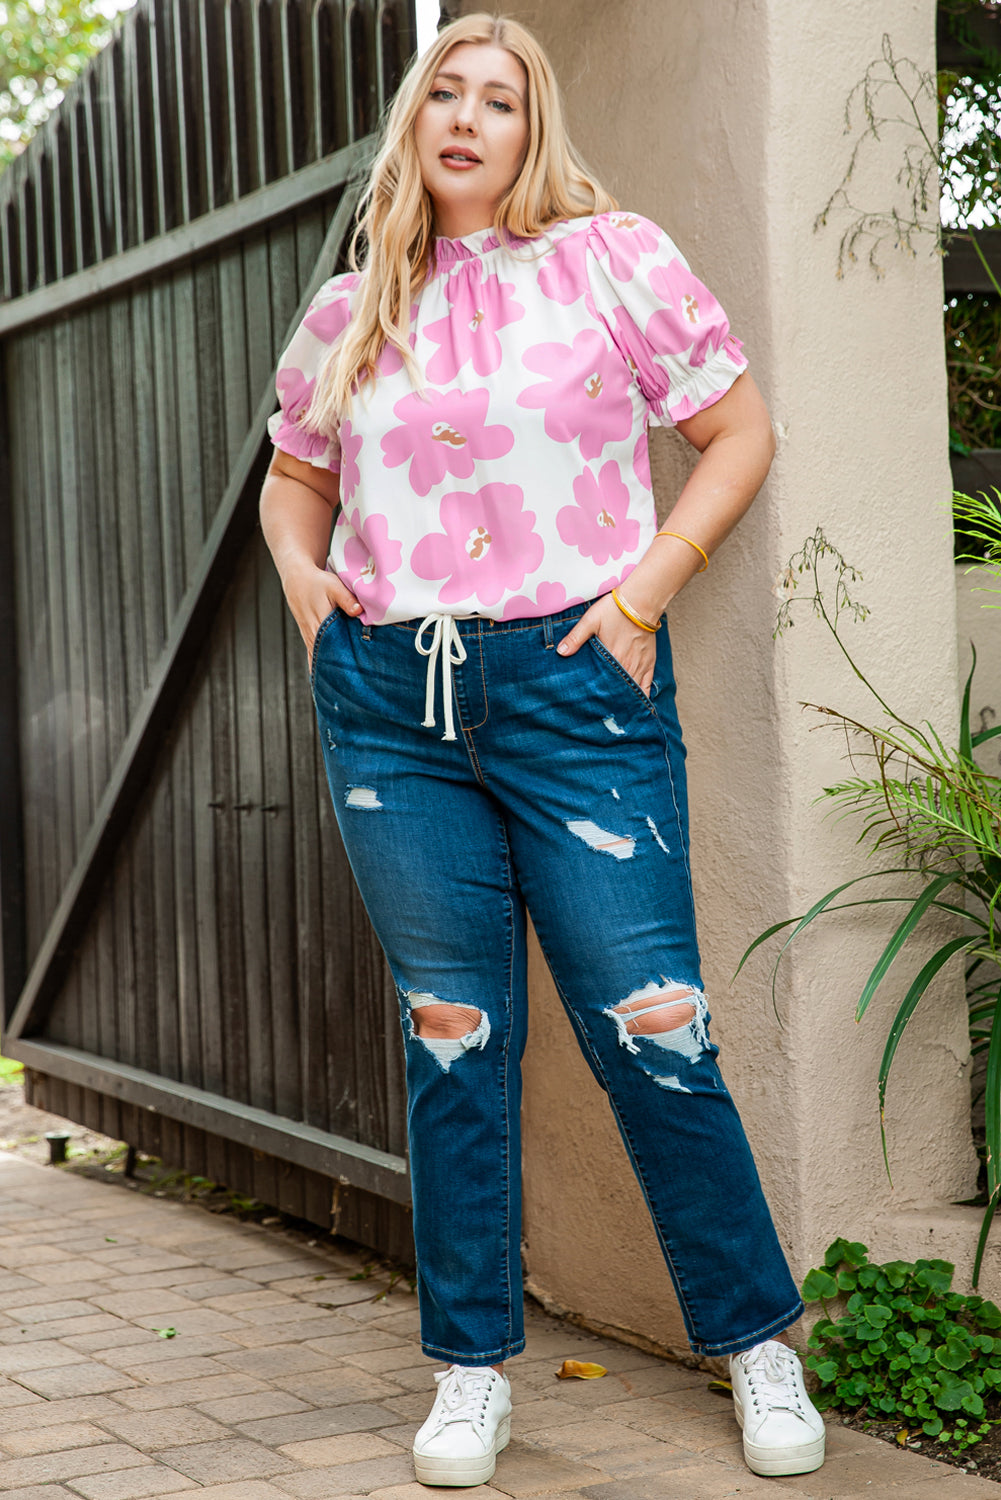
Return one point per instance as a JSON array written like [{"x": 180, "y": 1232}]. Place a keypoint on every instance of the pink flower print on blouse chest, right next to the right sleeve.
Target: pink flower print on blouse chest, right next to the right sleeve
[{"x": 588, "y": 392}]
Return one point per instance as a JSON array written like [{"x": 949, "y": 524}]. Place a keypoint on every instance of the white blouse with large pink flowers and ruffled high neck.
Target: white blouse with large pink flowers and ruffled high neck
[{"x": 519, "y": 482}]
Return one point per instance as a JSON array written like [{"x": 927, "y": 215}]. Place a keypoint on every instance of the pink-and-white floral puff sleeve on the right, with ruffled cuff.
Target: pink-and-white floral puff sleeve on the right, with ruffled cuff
[{"x": 666, "y": 323}]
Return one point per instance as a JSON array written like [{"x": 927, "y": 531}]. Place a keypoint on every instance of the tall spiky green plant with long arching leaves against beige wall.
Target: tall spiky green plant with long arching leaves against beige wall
[{"x": 939, "y": 812}]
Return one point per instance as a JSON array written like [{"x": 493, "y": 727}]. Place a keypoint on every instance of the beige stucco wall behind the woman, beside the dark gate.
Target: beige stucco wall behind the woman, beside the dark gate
[{"x": 724, "y": 122}]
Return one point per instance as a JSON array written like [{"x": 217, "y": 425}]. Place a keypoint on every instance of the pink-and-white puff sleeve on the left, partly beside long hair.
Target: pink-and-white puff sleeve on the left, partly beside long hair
[{"x": 326, "y": 319}]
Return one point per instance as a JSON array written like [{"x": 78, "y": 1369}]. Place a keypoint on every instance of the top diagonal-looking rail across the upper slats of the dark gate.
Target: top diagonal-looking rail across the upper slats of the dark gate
[{"x": 190, "y": 241}]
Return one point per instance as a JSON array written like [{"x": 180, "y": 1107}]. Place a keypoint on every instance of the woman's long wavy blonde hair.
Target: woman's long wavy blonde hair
[{"x": 397, "y": 215}]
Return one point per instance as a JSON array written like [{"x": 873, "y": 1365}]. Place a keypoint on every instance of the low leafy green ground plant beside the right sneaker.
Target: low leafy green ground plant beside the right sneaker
[{"x": 904, "y": 1348}]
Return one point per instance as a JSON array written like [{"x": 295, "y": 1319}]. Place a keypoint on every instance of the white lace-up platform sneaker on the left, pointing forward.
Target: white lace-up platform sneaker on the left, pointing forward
[{"x": 467, "y": 1429}]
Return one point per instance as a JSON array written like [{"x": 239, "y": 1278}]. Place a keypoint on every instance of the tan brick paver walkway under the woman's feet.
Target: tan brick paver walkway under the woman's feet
[{"x": 287, "y": 1379}]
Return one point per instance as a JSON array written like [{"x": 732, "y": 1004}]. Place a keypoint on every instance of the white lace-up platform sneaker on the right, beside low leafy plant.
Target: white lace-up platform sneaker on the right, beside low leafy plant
[{"x": 784, "y": 1432}]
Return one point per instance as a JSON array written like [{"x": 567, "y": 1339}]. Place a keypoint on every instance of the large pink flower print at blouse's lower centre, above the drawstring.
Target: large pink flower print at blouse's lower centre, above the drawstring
[{"x": 490, "y": 545}]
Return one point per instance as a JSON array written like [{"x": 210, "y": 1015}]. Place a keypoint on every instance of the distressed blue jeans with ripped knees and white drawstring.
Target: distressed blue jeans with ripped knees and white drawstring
[{"x": 564, "y": 794}]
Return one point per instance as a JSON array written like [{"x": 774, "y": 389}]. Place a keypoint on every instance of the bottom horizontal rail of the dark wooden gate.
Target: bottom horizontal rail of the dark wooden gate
[{"x": 259, "y": 1130}]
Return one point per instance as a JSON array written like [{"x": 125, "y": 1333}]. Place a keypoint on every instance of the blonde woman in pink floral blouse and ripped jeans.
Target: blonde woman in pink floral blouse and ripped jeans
[{"x": 476, "y": 401}]
